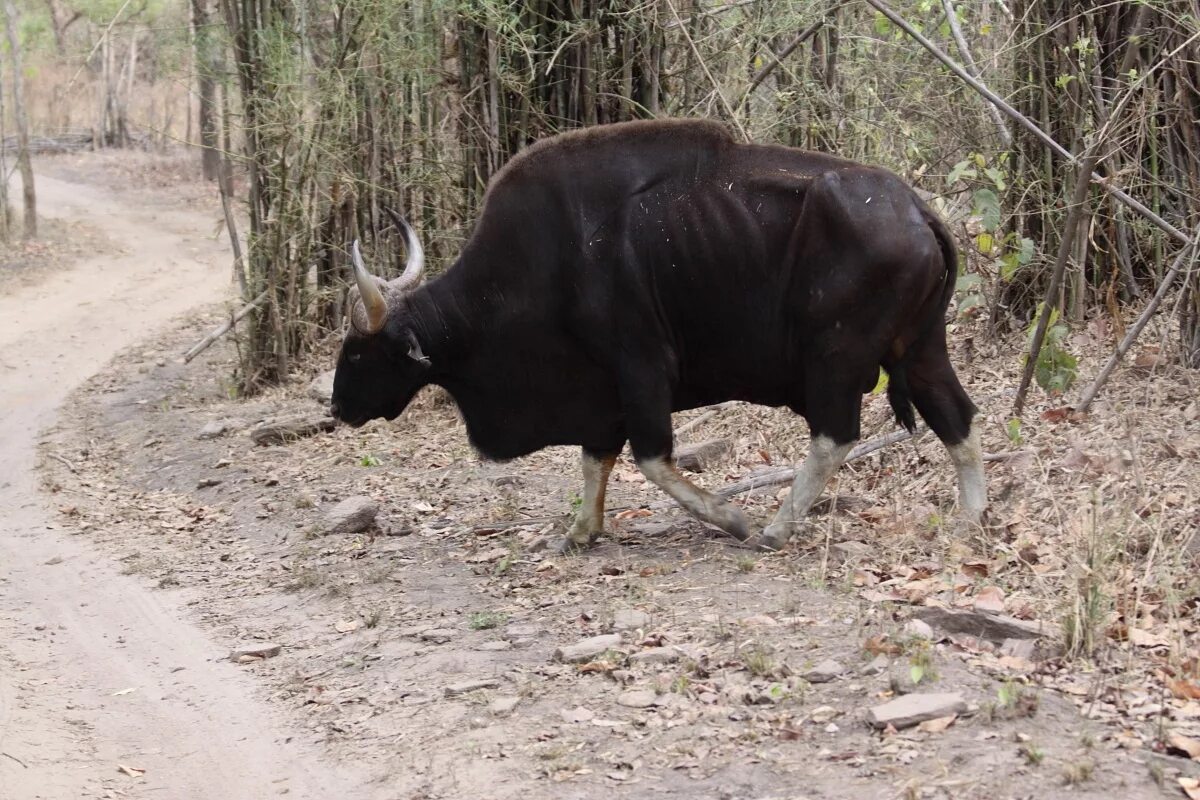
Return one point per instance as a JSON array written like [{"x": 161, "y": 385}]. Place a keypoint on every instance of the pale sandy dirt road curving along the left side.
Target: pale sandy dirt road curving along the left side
[{"x": 95, "y": 671}]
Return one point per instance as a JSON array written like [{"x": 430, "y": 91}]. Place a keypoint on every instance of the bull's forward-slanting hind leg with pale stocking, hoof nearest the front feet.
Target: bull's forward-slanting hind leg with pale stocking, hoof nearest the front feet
[{"x": 833, "y": 401}]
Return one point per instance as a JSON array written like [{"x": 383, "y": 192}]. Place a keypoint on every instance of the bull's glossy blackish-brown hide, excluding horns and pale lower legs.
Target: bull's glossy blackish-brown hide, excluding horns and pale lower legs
[{"x": 627, "y": 272}]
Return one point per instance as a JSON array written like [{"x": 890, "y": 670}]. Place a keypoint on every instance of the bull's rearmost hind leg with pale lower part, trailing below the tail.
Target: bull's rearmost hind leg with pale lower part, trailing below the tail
[{"x": 945, "y": 406}]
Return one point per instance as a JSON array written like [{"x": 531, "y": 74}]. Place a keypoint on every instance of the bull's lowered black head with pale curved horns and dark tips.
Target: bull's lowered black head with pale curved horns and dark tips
[{"x": 381, "y": 366}]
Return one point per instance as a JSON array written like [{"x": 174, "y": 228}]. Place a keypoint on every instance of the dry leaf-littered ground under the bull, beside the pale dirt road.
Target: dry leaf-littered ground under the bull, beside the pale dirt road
[{"x": 1095, "y": 521}]
